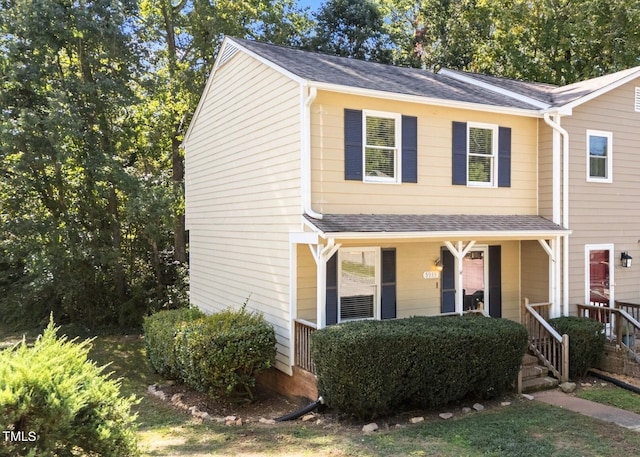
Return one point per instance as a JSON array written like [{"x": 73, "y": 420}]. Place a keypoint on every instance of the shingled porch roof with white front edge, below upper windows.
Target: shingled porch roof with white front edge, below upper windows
[{"x": 442, "y": 226}]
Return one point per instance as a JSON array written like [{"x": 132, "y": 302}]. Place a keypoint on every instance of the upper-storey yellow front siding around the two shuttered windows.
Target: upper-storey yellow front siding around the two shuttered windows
[{"x": 434, "y": 192}]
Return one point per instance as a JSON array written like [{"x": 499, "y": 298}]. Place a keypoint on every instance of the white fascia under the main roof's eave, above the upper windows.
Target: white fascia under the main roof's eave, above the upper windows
[{"x": 395, "y": 96}]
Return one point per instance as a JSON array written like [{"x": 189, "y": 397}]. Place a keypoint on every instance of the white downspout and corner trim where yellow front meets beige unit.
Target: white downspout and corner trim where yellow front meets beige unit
[{"x": 555, "y": 125}]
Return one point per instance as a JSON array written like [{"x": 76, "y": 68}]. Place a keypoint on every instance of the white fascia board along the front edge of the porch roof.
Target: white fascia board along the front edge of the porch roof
[{"x": 444, "y": 235}]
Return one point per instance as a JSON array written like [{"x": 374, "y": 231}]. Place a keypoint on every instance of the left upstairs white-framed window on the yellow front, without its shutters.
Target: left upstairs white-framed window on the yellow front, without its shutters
[{"x": 381, "y": 141}]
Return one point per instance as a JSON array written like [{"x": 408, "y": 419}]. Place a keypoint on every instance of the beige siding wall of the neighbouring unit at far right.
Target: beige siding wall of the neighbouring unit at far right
[{"x": 602, "y": 213}]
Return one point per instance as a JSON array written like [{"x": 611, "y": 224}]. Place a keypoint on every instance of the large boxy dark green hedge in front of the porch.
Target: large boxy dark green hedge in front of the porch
[{"x": 370, "y": 368}]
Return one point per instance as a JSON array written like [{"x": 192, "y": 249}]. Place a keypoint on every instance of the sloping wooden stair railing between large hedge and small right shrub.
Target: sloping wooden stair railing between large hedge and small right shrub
[{"x": 544, "y": 341}]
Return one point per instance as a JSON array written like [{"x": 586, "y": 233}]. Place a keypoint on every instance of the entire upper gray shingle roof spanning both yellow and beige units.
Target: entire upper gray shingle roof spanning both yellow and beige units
[{"x": 323, "y": 68}]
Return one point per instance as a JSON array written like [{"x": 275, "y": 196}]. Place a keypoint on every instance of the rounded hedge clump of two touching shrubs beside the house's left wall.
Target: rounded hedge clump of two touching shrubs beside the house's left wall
[{"x": 218, "y": 354}]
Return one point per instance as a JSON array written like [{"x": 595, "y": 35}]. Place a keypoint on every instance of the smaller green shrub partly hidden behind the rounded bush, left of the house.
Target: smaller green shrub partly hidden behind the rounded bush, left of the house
[{"x": 159, "y": 335}]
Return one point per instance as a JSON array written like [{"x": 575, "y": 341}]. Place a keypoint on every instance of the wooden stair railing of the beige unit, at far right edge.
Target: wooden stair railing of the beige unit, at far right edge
[{"x": 621, "y": 324}]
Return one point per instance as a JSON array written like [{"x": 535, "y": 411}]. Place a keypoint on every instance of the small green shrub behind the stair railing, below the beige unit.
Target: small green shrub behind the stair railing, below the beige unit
[{"x": 586, "y": 342}]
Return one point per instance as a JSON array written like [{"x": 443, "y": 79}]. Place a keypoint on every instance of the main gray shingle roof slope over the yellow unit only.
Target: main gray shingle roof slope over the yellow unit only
[{"x": 329, "y": 69}]
